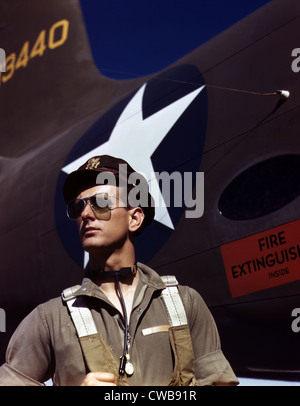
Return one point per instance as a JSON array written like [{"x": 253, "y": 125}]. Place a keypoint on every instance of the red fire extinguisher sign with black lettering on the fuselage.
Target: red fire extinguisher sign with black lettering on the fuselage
[{"x": 263, "y": 260}]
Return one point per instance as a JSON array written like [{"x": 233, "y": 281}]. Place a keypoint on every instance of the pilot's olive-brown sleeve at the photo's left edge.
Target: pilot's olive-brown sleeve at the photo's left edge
[{"x": 28, "y": 356}]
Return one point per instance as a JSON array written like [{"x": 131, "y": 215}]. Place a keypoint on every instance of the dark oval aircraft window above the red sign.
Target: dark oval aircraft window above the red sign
[{"x": 262, "y": 189}]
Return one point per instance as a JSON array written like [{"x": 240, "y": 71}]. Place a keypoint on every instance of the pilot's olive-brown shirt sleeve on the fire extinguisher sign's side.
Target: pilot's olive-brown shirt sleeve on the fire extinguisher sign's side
[{"x": 211, "y": 366}]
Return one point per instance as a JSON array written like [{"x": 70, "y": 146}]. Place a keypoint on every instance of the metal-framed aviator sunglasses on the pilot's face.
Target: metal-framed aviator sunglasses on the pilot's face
[{"x": 100, "y": 203}]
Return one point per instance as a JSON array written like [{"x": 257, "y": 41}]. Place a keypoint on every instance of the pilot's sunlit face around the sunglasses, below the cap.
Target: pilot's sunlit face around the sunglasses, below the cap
[{"x": 110, "y": 232}]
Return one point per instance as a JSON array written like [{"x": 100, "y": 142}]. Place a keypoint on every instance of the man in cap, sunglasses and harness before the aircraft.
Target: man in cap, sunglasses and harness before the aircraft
[{"x": 124, "y": 325}]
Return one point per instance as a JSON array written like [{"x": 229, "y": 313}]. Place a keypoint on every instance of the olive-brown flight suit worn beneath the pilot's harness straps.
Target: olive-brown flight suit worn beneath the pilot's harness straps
[{"x": 46, "y": 345}]
